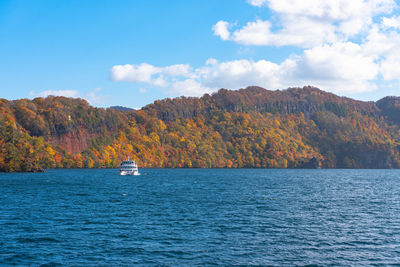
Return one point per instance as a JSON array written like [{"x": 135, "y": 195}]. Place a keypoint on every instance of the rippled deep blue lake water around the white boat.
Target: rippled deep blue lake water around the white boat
[{"x": 200, "y": 217}]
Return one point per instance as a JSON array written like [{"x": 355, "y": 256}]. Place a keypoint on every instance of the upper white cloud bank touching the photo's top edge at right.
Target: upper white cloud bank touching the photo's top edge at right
[{"x": 307, "y": 23}]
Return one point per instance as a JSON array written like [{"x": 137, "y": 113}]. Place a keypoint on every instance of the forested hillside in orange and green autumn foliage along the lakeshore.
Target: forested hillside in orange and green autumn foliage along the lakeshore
[{"x": 252, "y": 127}]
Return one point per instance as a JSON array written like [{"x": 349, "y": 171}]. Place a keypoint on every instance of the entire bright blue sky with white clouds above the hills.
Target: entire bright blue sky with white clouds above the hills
[{"x": 131, "y": 53}]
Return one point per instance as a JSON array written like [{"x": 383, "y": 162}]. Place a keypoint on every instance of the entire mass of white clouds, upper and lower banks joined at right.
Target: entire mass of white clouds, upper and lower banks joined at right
[{"x": 347, "y": 47}]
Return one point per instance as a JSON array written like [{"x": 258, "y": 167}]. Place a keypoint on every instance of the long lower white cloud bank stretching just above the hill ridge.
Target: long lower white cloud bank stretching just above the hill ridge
[{"x": 342, "y": 67}]
